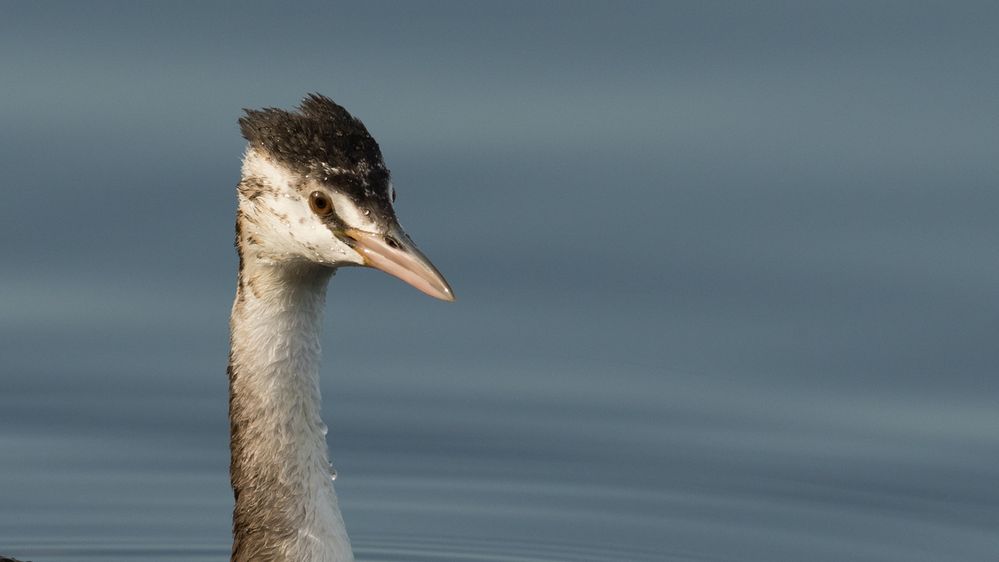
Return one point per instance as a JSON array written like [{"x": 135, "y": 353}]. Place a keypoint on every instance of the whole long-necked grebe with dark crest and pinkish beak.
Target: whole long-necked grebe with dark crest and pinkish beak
[{"x": 314, "y": 196}]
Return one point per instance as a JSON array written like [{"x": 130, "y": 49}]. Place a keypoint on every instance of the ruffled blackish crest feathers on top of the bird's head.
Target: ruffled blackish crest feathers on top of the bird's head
[{"x": 320, "y": 138}]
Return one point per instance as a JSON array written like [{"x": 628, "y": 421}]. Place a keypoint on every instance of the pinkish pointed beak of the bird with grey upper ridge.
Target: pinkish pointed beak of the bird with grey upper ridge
[{"x": 395, "y": 254}]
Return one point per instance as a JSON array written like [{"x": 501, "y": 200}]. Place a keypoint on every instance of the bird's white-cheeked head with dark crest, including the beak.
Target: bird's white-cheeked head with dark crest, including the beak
[{"x": 315, "y": 188}]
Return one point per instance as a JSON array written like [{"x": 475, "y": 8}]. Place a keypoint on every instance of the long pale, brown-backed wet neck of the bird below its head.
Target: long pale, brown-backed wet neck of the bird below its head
[{"x": 286, "y": 508}]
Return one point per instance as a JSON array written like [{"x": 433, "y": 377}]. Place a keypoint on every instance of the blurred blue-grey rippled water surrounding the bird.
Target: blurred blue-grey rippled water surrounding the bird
[{"x": 727, "y": 277}]
